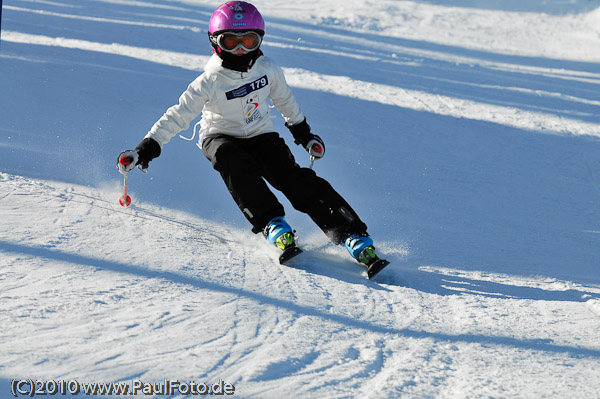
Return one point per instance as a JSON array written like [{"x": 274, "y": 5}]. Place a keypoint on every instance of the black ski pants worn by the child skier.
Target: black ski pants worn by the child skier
[{"x": 245, "y": 164}]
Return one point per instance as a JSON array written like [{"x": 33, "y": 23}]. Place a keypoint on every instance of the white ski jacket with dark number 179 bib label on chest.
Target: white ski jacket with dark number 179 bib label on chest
[{"x": 231, "y": 102}]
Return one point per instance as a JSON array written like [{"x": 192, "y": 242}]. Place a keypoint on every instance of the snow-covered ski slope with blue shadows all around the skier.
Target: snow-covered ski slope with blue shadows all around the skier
[{"x": 465, "y": 134}]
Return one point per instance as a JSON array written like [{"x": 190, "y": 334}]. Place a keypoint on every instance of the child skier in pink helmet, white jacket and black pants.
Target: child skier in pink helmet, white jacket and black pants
[{"x": 237, "y": 137}]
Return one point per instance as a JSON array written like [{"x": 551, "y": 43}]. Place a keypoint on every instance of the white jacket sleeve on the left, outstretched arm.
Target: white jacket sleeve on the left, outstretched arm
[{"x": 179, "y": 116}]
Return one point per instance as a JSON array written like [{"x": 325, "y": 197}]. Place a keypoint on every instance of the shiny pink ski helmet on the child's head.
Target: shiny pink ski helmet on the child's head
[{"x": 236, "y": 16}]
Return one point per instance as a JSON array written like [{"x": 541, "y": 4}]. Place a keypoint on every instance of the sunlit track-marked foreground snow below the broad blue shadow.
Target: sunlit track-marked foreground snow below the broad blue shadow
[{"x": 185, "y": 300}]
